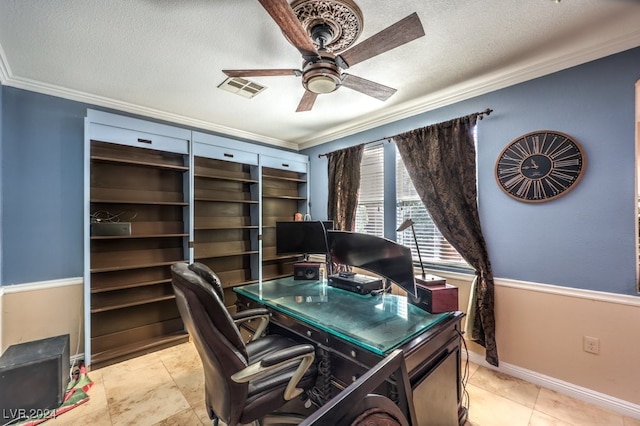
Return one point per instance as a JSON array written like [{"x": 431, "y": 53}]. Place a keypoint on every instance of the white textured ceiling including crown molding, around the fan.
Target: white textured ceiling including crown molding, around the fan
[{"x": 163, "y": 58}]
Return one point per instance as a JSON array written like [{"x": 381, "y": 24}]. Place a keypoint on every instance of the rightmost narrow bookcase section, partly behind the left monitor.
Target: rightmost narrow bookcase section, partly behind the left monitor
[{"x": 284, "y": 193}]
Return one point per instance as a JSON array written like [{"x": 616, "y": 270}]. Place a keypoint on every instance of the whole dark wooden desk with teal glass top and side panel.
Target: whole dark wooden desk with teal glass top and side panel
[{"x": 353, "y": 332}]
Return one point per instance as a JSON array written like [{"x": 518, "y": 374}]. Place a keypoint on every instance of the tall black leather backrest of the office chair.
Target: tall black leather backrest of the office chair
[{"x": 216, "y": 339}]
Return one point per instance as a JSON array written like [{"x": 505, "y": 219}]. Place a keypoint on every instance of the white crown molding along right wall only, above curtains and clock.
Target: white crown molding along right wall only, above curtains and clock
[{"x": 524, "y": 71}]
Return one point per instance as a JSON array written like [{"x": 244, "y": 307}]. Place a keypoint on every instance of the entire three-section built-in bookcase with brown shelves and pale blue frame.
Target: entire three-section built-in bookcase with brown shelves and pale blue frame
[{"x": 179, "y": 196}]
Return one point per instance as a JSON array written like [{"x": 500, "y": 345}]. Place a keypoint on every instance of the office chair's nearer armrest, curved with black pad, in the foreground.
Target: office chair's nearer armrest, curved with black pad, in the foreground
[{"x": 303, "y": 355}]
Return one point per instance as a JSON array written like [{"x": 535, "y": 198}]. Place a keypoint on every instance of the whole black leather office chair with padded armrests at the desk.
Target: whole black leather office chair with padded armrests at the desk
[{"x": 243, "y": 383}]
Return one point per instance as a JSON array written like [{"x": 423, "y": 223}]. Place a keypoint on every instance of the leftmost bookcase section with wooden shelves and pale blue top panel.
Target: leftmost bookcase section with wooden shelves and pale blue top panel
[{"x": 131, "y": 307}]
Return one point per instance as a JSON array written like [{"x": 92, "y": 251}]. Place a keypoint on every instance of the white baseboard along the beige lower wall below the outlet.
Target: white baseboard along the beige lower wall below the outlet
[{"x": 587, "y": 395}]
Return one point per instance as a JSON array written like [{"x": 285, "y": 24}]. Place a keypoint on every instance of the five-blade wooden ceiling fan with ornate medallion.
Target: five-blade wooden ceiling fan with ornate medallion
[{"x": 313, "y": 35}]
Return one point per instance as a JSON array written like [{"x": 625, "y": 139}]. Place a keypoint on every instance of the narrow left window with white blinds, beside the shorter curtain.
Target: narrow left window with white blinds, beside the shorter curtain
[{"x": 370, "y": 213}]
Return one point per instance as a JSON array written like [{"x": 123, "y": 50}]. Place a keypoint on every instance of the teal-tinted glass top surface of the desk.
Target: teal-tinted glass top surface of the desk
[{"x": 379, "y": 324}]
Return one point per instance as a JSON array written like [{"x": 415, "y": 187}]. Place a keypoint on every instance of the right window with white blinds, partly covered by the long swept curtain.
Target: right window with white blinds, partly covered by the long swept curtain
[{"x": 433, "y": 246}]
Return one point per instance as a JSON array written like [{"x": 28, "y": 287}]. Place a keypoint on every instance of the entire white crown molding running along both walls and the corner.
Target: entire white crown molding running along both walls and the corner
[{"x": 524, "y": 71}]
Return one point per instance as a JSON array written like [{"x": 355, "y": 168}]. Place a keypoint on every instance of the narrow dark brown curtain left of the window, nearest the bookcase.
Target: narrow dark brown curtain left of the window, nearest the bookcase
[{"x": 344, "y": 183}]
